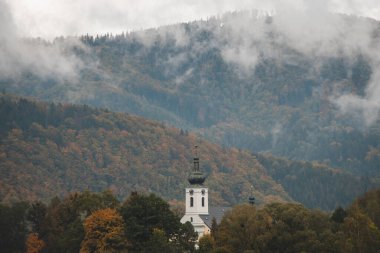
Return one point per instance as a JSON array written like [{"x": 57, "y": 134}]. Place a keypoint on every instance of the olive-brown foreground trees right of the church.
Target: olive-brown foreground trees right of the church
[{"x": 294, "y": 228}]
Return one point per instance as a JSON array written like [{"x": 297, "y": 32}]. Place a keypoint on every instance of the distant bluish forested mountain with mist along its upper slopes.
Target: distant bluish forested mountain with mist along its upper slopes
[{"x": 239, "y": 79}]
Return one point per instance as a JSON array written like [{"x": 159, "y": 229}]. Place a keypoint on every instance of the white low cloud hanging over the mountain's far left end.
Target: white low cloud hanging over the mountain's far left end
[{"x": 44, "y": 59}]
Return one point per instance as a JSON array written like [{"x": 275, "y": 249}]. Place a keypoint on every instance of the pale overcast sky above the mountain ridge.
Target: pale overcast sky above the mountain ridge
[{"x": 51, "y": 18}]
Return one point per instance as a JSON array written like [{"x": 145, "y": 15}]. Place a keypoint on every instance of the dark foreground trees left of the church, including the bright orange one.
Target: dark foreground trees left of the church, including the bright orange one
[{"x": 94, "y": 222}]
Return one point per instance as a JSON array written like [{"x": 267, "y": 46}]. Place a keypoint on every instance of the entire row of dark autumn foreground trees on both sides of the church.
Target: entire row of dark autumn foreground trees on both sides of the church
[{"x": 99, "y": 222}]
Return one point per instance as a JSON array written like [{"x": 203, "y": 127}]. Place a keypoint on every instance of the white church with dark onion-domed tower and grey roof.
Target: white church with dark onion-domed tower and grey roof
[{"x": 198, "y": 212}]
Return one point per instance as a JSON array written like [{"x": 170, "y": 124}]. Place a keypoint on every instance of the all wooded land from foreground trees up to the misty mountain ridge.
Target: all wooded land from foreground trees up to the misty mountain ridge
[{"x": 97, "y": 135}]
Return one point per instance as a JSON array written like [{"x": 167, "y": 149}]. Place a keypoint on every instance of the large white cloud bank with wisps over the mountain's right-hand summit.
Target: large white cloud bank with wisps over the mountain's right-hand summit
[{"x": 311, "y": 29}]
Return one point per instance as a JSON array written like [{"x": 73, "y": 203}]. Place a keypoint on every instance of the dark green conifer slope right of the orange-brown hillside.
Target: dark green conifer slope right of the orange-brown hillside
[{"x": 314, "y": 183}]
